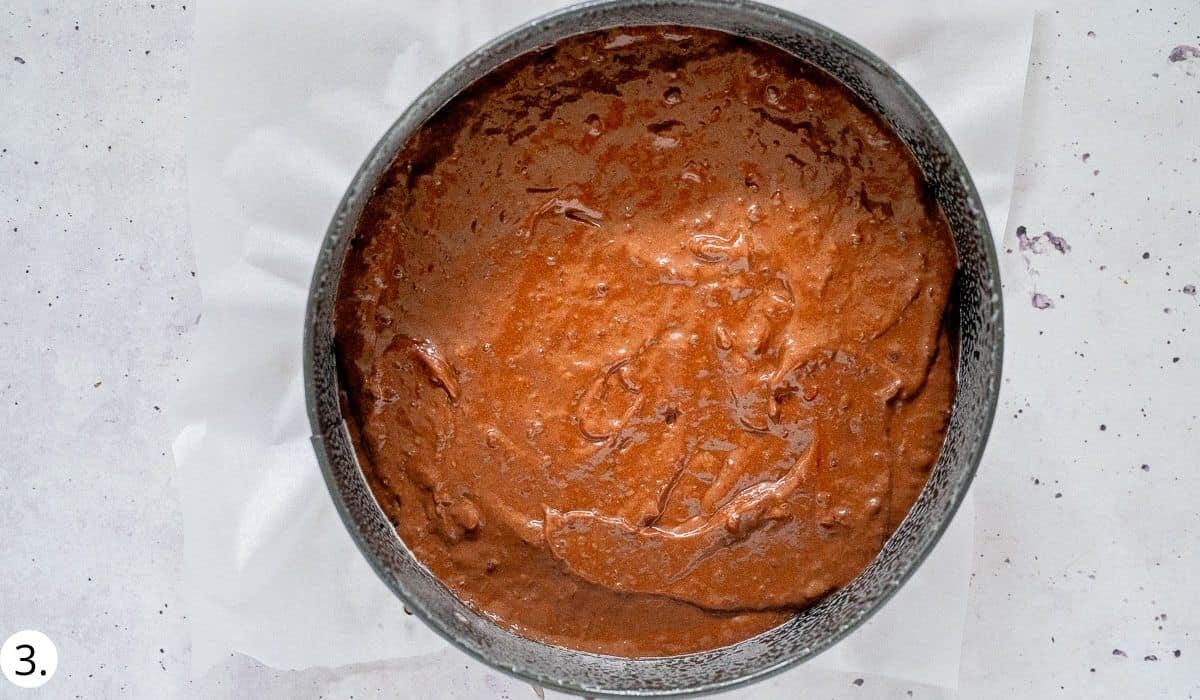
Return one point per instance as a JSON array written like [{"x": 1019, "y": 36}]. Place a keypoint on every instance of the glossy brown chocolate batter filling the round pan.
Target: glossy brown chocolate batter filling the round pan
[{"x": 645, "y": 340}]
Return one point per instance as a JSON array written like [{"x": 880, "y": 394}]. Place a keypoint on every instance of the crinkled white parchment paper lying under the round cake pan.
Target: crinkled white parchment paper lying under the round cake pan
[{"x": 287, "y": 100}]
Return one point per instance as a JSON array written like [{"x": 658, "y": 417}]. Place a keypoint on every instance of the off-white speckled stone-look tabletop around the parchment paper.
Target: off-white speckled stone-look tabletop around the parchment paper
[{"x": 98, "y": 304}]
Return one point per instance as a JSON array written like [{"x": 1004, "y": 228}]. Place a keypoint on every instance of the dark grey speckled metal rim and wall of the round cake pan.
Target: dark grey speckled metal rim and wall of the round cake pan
[{"x": 818, "y": 629}]
